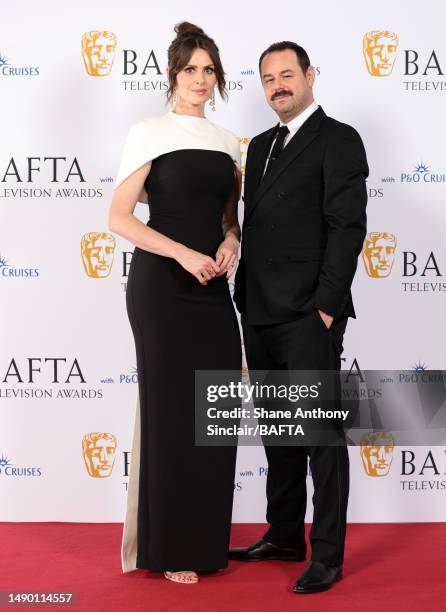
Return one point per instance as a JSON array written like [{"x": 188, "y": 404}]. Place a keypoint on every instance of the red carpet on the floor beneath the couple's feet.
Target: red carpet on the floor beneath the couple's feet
[{"x": 388, "y": 567}]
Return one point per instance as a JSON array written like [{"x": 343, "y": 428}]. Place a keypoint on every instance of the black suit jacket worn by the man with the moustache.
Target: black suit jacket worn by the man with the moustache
[{"x": 304, "y": 223}]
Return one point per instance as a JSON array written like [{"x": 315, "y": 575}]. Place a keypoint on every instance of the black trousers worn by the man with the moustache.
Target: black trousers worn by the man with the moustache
[{"x": 303, "y": 344}]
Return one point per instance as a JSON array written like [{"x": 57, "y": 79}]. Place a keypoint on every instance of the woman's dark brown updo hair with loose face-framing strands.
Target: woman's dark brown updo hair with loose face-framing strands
[{"x": 190, "y": 37}]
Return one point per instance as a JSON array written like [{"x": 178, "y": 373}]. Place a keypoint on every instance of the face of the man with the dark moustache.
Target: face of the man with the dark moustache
[{"x": 287, "y": 89}]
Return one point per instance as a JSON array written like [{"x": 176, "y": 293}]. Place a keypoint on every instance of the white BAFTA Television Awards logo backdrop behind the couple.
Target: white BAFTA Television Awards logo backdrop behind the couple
[{"x": 72, "y": 82}]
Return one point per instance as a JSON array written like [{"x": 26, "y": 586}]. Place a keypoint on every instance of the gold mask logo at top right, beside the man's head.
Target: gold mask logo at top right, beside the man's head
[{"x": 379, "y": 49}]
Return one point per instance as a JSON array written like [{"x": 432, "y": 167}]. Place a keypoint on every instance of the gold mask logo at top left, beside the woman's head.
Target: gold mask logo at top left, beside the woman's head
[{"x": 98, "y": 52}]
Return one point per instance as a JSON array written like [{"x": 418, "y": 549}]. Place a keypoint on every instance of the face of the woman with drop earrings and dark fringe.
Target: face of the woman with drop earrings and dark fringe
[{"x": 196, "y": 81}]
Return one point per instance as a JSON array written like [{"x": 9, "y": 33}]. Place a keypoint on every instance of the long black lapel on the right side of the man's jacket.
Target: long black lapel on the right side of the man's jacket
[{"x": 298, "y": 143}]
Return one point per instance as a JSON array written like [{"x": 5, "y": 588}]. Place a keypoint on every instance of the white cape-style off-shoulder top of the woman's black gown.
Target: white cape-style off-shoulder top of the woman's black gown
[{"x": 155, "y": 136}]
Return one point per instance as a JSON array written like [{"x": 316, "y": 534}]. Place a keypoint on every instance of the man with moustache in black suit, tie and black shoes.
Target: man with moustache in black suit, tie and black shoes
[{"x": 304, "y": 225}]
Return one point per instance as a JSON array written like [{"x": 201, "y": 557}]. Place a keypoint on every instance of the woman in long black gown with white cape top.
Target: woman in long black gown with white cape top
[{"x": 187, "y": 168}]
